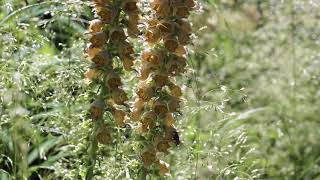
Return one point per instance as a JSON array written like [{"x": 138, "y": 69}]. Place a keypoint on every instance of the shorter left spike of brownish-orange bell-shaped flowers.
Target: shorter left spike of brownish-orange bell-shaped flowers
[{"x": 115, "y": 21}]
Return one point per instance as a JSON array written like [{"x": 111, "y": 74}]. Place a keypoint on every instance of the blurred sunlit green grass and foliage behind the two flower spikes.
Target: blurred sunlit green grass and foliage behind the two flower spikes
[{"x": 251, "y": 94}]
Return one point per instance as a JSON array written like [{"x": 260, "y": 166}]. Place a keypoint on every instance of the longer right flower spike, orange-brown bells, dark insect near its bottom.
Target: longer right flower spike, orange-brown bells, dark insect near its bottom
[{"x": 158, "y": 97}]
